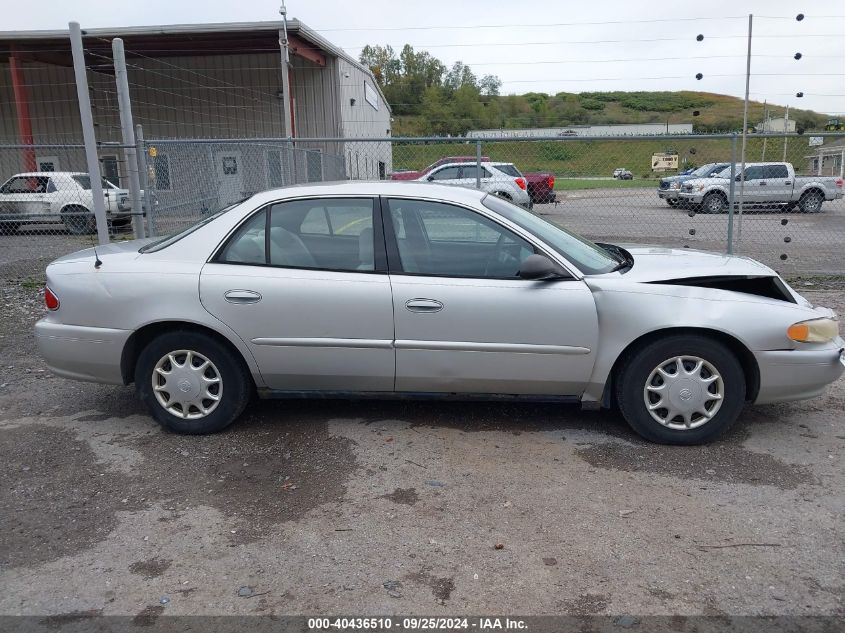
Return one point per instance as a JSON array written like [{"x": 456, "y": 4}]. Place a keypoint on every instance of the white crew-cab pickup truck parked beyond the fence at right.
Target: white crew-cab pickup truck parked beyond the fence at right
[{"x": 766, "y": 185}]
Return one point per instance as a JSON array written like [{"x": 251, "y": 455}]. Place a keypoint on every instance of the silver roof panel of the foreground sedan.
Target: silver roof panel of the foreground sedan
[{"x": 372, "y": 188}]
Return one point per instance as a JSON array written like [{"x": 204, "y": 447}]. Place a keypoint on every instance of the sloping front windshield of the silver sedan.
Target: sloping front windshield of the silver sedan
[{"x": 590, "y": 258}]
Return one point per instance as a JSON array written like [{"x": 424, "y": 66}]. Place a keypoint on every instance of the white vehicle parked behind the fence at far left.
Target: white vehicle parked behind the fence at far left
[{"x": 49, "y": 197}]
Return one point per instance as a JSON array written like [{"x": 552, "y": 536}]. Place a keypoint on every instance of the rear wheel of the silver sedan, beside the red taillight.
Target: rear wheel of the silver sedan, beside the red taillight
[{"x": 191, "y": 383}]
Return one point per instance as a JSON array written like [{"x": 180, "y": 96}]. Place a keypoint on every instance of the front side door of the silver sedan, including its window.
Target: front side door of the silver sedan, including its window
[{"x": 465, "y": 322}]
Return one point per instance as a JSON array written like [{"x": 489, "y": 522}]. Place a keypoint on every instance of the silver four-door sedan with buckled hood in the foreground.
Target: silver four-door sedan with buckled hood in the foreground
[{"x": 400, "y": 289}]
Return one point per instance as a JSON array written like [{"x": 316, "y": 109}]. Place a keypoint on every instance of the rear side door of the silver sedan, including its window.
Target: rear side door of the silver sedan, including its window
[{"x": 313, "y": 304}]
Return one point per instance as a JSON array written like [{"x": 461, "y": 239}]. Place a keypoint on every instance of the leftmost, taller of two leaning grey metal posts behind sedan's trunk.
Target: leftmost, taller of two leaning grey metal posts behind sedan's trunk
[{"x": 88, "y": 136}]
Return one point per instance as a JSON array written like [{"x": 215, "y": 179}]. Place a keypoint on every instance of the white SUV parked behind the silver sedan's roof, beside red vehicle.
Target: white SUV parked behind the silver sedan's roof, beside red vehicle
[{"x": 501, "y": 179}]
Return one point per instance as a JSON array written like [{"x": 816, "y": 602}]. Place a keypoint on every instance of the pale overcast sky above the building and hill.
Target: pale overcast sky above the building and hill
[{"x": 547, "y": 46}]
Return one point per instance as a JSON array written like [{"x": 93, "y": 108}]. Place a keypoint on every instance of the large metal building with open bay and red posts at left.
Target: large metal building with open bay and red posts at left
[{"x": 199, "y": 81}]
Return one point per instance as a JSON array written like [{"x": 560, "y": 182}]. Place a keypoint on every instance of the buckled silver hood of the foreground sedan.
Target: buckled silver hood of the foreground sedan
[{"x": 656, "y": 263}]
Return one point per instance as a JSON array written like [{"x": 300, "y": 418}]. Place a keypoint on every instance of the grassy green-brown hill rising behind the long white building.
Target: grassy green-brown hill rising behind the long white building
[{"x": 717, "y": 113}]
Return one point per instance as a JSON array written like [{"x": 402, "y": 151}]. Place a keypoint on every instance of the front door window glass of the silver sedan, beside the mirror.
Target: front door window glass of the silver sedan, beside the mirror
[{"x": 445, "y": 240}]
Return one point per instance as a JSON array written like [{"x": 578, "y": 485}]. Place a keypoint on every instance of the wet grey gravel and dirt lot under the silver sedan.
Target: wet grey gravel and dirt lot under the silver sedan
[{"x": 362, "y": 508}]
